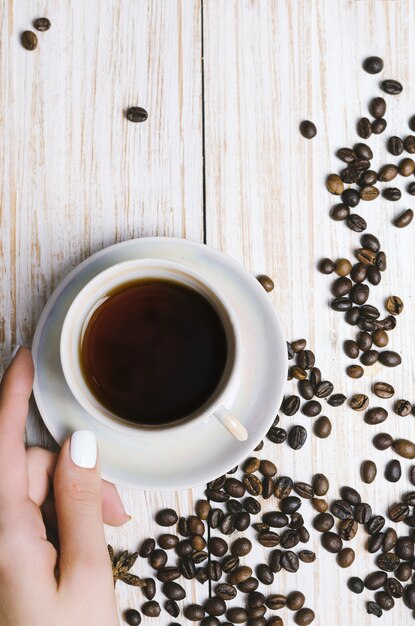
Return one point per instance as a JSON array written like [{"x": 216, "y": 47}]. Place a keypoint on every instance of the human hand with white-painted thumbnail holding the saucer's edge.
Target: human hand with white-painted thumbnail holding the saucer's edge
[{"x": 38, "y": 585}]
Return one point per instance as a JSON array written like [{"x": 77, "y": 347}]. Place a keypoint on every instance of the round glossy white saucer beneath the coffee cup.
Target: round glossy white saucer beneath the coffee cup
[{"x": 207, "y": 451}]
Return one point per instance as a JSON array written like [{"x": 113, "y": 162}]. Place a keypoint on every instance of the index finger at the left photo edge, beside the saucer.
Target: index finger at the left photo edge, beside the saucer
[{"x": 15, "y": 391}]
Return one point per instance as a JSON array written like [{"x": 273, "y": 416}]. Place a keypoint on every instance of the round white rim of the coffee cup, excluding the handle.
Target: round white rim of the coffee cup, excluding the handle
[{"x": 98, "y": 410}]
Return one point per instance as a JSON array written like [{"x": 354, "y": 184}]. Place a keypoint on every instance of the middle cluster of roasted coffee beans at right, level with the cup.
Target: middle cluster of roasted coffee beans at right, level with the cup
[{"x": 351, "y": 293}]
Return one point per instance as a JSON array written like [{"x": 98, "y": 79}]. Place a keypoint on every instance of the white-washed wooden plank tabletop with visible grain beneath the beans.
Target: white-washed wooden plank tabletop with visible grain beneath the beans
[{"x": 220, "y": 160}]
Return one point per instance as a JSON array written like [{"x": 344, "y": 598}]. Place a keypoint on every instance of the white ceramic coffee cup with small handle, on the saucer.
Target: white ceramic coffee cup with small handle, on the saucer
[{"x": 94, "y": 294}]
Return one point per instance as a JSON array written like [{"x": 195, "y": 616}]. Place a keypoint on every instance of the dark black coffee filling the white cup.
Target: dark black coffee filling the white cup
[{"x": 154, "y": 352}]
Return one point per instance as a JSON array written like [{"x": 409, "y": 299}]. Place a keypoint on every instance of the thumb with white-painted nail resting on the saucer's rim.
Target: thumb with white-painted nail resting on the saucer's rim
[{"x": 77, "y": 488}]
